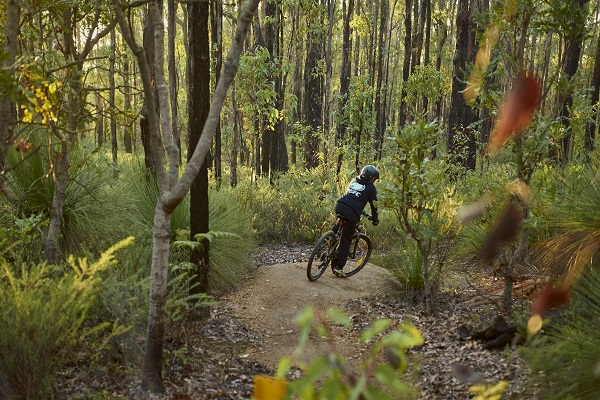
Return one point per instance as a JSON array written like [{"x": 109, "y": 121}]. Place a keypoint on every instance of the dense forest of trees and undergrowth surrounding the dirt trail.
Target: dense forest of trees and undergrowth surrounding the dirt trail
[{"x": 203, "y": 128}]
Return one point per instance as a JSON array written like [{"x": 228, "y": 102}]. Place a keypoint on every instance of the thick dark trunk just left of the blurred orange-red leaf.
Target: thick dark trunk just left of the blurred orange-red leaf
[{"x": 461, "y": 115}]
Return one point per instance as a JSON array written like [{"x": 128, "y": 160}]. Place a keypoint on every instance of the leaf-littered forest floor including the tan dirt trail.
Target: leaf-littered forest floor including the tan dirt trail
[{"x": 252, "y": 328}]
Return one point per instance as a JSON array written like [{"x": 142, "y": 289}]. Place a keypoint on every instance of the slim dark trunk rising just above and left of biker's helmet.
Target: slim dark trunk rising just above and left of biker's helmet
[{"x": 346, "y": 68}]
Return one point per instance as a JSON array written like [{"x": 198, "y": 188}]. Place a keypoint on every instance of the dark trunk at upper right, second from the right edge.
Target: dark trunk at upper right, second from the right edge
[{"x": 569, "y": 69}]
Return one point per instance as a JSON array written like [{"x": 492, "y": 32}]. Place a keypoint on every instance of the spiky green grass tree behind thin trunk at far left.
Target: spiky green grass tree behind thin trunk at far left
[{"x": 89, "y": 220}]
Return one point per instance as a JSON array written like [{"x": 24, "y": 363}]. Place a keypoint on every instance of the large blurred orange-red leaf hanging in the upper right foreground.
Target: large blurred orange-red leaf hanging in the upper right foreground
[{"x": 516, "y": 112}]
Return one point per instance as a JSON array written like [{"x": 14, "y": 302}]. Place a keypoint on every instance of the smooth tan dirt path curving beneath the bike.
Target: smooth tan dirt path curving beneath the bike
[{"x": 268, "y": 303}]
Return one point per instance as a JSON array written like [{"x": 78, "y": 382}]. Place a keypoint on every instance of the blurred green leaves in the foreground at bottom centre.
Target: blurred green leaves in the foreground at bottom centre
[{"x": 328, "y": 377}]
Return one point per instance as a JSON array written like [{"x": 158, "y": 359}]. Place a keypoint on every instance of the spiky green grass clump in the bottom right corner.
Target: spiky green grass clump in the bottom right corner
[{"x": 566, "y": 358}]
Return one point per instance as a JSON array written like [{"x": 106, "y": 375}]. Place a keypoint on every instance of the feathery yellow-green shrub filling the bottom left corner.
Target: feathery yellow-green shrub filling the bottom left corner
[{"x": 43, "y": 311}]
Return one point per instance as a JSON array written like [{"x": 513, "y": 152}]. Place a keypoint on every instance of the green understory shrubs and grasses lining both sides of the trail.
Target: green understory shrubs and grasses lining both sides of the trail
[{"x": 101, "y": 306}]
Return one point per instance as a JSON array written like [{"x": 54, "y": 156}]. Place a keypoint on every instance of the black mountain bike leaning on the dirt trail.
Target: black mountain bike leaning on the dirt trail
[{"x": 326, "y": 249}]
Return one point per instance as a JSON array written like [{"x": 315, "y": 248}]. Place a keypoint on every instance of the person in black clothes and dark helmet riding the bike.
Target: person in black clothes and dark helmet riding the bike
[{"x": 360, "y": 192}]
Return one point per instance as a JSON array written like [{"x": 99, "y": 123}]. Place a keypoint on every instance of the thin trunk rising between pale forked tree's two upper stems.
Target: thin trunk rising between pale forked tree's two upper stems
[{"x": 173, "y": 84}]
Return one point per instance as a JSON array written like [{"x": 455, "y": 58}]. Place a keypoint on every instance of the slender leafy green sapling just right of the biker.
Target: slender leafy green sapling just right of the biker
[{"x": 415, "y": 197}]
